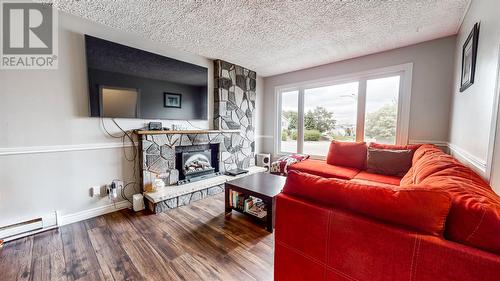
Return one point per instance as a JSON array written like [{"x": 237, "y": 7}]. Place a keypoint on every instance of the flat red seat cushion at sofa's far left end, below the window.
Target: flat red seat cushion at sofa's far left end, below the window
[{"x": 321, "y": 168}]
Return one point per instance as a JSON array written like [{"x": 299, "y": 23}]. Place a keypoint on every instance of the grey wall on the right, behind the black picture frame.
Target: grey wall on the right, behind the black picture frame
[{"x": 472, "y": 120}]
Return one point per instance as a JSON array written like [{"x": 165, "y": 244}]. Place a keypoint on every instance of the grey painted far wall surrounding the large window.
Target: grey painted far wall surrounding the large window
[{"x": 433, "y": 63}]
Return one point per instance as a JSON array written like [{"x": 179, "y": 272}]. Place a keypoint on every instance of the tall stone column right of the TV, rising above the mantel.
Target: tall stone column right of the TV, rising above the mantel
[{"x": 234, "y": 108}]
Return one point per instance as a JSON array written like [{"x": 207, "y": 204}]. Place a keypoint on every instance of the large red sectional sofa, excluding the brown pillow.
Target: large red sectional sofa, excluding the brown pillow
[{"x": 440, "y": 221}]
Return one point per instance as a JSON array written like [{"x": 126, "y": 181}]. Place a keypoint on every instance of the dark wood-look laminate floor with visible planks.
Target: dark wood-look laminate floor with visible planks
[{"x": 195, "y": 242}]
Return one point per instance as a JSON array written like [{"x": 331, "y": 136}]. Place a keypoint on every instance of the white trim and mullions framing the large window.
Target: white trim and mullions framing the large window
[{"x": 404, "y": 102}]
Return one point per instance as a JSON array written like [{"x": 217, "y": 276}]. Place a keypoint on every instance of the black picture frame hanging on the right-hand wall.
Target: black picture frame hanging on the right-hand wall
[{"x": 469, "y": 55}]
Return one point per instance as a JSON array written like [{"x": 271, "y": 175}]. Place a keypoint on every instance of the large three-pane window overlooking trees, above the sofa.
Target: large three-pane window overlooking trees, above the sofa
[{"x": 371, "y": 106}]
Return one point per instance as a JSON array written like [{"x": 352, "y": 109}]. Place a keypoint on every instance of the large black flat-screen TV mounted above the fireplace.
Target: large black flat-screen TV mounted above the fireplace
[{"x": 125, "y": 82}]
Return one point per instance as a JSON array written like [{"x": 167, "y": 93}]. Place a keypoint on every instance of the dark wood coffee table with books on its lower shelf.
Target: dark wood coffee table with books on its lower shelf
[{"x": 261, "y": 185}]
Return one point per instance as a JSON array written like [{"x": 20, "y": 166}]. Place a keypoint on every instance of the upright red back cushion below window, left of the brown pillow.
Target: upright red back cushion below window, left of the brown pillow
[{"x": 348, "y": 154}]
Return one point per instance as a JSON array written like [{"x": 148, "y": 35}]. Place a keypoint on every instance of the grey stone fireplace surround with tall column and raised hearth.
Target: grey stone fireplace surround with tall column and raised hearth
[{"x": 234, "y": 107}]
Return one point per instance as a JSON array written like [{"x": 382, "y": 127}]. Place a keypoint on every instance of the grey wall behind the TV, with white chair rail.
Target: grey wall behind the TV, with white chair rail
[{"x": 48, "y": 109}]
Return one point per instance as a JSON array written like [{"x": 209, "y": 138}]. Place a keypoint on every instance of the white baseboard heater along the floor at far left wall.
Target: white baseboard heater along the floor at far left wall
[{"x": 28, "y": 227}]
